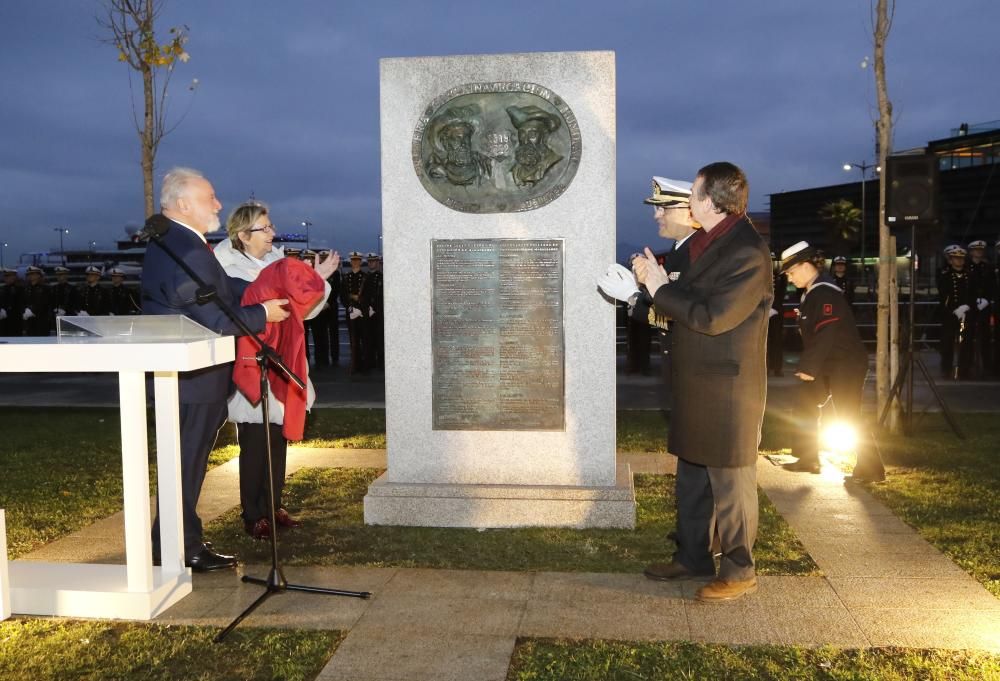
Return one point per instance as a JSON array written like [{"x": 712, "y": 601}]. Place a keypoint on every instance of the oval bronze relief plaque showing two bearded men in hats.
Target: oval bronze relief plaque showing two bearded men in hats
[{"x": 500, "y": 147}]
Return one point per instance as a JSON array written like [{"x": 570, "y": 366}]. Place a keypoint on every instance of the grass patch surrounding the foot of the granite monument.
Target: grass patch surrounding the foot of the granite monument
[{"x": 330, "y": 501}]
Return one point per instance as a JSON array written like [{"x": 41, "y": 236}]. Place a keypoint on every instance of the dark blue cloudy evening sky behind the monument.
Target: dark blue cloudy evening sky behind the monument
[{"x": 287, "y": 101}]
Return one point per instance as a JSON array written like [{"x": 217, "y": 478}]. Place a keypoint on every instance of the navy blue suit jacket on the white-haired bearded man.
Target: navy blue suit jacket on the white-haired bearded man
[{"x": 167, "y": 289}]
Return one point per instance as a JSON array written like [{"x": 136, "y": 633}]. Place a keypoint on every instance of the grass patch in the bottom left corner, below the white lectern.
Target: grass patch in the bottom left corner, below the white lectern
[{"x": 55, "y": 650}]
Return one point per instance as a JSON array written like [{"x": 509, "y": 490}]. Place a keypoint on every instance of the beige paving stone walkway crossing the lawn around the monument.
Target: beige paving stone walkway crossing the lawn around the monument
[{"x": 882, "y": 586}]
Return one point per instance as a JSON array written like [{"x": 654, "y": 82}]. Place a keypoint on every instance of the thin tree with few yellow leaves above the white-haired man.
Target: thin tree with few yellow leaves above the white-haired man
[{"x": 130, "y": 27}]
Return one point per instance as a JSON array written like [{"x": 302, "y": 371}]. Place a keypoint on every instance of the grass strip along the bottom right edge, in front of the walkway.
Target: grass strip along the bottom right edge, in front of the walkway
[{"x": 556, "y": 660}]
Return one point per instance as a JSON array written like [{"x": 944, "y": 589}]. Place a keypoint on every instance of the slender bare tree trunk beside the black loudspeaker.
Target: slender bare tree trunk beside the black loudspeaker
[{"x": 882, "y": 22}]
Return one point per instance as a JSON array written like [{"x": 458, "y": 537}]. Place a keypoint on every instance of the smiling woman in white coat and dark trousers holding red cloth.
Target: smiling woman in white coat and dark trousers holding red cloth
[{"x": 249, "y": 250}]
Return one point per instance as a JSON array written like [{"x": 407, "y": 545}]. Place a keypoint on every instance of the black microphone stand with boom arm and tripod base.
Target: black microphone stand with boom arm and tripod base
[{"x": 275, "y": 582}]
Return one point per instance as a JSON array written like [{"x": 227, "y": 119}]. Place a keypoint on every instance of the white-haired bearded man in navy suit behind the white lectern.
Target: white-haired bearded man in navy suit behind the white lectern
[{"x": 188, "y": 200}]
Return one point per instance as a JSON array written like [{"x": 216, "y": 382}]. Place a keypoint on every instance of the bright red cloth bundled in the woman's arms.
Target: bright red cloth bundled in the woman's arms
[{"x": 298, "y": 282}]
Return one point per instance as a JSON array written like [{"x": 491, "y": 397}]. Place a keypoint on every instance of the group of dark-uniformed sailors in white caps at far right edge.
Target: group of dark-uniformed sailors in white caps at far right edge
[{"x": 967, "y": 291}]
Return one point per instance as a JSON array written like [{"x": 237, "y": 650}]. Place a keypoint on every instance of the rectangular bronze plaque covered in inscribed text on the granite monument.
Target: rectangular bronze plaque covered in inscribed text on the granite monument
[{"x": 498, "y": 334}]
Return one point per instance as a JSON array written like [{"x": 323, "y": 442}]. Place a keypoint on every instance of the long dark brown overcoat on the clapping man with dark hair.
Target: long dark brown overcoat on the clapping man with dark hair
[{"x": 720, "y": 310}]
